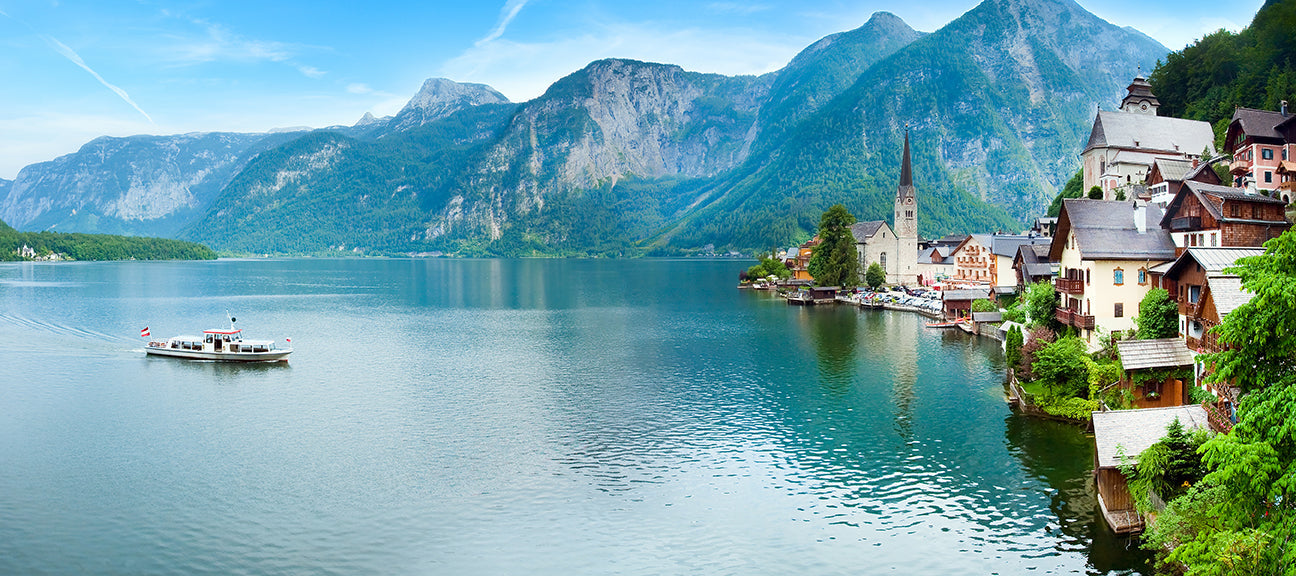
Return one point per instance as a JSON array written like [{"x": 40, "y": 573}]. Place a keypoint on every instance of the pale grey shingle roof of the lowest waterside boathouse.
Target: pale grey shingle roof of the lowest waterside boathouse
[{"x": 1133, "y": 431}]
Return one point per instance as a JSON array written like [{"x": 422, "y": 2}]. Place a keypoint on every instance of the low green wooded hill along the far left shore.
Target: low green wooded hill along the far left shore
[{"x": 97, "y": 247}]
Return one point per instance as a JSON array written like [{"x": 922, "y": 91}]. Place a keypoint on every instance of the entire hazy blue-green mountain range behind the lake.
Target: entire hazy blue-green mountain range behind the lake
[{"x": 627, "y": 156}]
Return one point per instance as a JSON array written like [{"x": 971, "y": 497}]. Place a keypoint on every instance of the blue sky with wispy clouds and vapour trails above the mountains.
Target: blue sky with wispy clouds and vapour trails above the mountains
[{"x": 78, "y": 69}]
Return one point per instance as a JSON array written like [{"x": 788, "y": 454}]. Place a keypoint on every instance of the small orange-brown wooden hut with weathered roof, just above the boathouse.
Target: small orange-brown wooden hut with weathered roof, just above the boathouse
[{"x": 1148, "y": 357}]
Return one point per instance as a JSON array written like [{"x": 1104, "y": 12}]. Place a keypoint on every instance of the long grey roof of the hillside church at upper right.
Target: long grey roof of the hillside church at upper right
[{"x": 1150, "y": 133}]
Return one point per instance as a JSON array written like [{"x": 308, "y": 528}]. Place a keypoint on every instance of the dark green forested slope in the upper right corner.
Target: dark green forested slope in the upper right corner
[{"x": 1255, "y": 68}]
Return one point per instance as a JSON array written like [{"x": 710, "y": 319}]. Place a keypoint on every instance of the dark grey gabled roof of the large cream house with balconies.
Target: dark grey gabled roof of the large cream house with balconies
[{"x": 1106, "y": 230}]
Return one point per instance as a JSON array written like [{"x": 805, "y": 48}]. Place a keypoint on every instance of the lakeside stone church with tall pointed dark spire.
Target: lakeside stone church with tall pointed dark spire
[{"x": 895, "y": 250}]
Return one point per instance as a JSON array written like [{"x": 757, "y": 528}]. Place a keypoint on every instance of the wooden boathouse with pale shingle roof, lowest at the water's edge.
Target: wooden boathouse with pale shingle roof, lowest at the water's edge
[{"x": 1129, "y": 433}]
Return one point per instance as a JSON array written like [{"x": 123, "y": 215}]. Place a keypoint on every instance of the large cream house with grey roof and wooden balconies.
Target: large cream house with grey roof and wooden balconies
[{"x": 1105, "y": 251}]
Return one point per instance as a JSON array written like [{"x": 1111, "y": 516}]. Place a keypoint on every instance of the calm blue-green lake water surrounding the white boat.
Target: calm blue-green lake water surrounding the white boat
[{"x": 516, "y": 417}]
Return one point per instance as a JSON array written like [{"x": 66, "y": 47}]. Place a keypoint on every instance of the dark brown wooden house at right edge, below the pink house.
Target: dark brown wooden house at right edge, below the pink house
[{"x": 1216, "y": 216}]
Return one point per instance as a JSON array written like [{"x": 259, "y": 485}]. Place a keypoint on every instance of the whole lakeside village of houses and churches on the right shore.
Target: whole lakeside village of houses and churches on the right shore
[{"x": 1162, "y": 211}]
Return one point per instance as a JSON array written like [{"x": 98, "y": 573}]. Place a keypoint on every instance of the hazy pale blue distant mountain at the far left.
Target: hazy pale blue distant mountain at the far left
[{"x": 135, "y": 186}]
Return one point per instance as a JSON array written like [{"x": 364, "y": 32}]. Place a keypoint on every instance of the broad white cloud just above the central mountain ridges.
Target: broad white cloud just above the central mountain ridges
[{"x": 524, "y": 71}]
